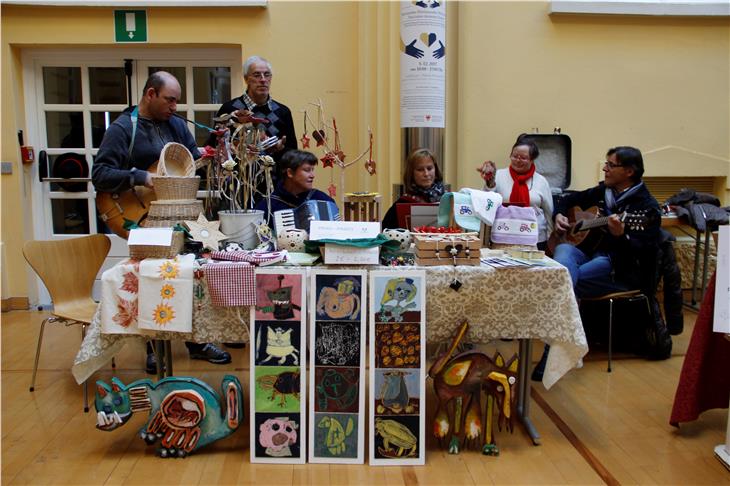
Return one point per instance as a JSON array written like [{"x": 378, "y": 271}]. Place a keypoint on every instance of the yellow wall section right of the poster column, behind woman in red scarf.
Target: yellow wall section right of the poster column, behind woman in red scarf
[{"x": 605, "y": 80}]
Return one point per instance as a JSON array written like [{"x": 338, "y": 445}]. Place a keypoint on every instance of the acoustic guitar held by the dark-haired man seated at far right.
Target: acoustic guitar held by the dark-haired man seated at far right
[{"x": 586, "y": 228}]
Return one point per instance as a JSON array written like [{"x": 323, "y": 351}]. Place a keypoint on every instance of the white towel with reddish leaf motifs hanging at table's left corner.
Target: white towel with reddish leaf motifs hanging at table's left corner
[{"x": 119, "y": 287}]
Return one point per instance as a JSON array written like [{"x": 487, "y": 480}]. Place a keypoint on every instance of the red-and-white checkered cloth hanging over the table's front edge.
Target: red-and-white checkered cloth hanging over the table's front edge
[{"x": 230, "y": 283}]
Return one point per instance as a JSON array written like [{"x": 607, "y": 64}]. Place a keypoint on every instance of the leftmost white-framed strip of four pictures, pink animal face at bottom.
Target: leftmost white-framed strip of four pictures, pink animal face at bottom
[{"x": 278, "y": 372}]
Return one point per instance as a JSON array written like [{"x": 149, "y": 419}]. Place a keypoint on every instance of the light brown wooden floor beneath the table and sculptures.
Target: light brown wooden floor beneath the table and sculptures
[{"x": 619, "y": 419}]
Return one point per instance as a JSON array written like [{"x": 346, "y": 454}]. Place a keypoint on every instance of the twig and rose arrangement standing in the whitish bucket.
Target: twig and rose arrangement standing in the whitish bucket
[{"x": 240, "y": 165}]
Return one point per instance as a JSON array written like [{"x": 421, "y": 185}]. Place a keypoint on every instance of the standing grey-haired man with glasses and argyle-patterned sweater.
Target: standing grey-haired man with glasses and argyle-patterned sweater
[{"x": 257, "y": 73}]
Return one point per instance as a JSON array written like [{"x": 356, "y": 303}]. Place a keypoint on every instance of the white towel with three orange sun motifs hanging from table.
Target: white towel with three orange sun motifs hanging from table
[{"x": 166, "y": 293}]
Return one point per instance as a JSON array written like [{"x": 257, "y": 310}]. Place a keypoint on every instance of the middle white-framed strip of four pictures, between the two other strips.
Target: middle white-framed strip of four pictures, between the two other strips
[{"x": 337, "y": 366}]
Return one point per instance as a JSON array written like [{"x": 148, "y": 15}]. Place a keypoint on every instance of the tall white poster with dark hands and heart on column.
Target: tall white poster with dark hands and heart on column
[{"x": 423, "y": 63}]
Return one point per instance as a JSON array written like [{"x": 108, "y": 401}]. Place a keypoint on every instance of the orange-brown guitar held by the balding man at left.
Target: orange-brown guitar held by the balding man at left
[{"x": 133, "y": 204}]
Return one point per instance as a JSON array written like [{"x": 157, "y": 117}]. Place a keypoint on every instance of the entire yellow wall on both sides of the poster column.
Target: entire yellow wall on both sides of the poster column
[{"x": 605, "y": 80}]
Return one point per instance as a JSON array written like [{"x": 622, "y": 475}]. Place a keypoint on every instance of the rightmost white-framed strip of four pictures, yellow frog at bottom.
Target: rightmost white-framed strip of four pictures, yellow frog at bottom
[{"x": 397, "y": 367}]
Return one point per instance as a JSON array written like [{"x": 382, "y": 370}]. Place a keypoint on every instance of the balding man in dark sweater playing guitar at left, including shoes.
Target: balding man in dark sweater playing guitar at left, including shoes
[{"x": 131, "y": 145}]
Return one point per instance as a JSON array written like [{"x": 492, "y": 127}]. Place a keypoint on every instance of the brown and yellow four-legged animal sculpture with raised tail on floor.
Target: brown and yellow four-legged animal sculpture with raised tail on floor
[{"x": 462, "y": 380}]
